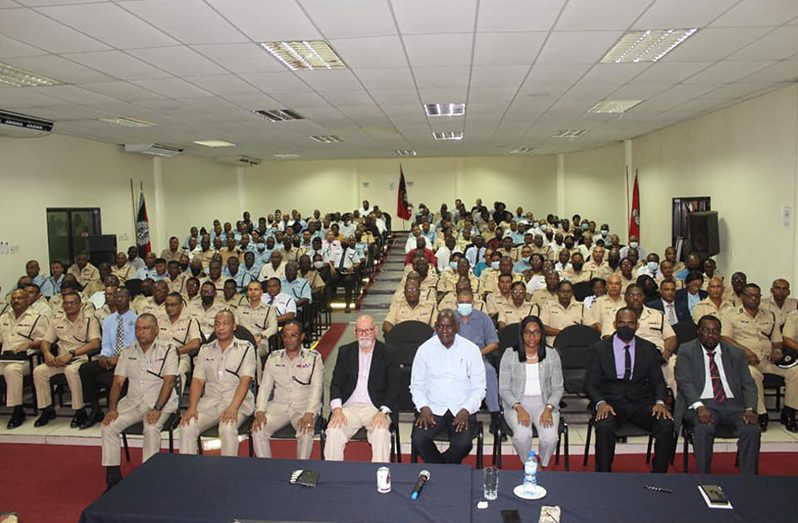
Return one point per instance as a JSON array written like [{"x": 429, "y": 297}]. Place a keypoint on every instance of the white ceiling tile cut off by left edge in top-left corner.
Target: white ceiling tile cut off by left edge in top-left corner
[{"x": 33, "y": 28}]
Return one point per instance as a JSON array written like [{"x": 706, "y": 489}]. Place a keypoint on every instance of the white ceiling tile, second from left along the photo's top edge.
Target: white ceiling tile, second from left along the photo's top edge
[{"x": 111, "y": 24}]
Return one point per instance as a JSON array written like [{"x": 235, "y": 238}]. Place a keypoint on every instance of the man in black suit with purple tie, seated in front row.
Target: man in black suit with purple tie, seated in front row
[{"x": 624, "y": 383}]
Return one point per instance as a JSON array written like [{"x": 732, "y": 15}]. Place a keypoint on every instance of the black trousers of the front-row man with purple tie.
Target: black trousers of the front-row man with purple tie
[{"x": 638, "y": 414}]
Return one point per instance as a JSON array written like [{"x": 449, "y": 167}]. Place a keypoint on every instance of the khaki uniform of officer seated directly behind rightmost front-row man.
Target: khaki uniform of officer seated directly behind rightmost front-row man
[{"x": 758, "y": 334}]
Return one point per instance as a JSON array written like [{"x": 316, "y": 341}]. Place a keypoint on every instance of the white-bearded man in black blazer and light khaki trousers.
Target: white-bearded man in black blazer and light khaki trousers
[{"x": 364, "y": 393}]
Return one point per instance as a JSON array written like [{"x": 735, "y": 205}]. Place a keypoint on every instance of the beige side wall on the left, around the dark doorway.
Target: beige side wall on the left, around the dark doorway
[{"x": 60, "y": 171}]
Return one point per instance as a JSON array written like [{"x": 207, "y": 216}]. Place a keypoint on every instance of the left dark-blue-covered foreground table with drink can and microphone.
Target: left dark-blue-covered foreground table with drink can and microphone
[{"x": 174, "y": 488}]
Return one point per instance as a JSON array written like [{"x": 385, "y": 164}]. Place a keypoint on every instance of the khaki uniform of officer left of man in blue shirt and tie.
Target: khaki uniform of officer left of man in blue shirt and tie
[{"x": 70, "y": 335}]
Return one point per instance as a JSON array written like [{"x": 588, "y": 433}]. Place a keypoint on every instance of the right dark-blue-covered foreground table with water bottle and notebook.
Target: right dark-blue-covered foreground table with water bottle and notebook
[{"x": 621, "y": 498}]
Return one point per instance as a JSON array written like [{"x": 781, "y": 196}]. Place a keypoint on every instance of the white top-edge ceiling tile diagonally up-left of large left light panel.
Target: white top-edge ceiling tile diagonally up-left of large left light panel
[{"x": 189, "y": 21}]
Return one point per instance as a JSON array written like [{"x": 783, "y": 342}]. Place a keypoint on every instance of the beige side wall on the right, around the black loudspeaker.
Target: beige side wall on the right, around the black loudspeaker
[{"x": 743, "y": 157}]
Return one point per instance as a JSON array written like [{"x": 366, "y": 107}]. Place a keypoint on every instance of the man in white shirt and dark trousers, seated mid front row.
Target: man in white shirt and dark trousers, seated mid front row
[{"x": 448, "y": 385}]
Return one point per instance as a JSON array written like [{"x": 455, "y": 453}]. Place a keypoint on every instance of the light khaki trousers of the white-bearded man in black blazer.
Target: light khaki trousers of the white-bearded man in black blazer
[{"x": 358, "y": 416}]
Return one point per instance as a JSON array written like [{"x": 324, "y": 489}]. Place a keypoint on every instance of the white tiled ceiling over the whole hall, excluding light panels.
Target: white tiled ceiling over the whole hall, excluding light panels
[{"x": 525, "y": 68}]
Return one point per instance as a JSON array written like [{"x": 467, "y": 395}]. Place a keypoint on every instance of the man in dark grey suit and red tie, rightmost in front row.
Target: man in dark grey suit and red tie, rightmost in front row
[{"x": 716, "y": 388}]
